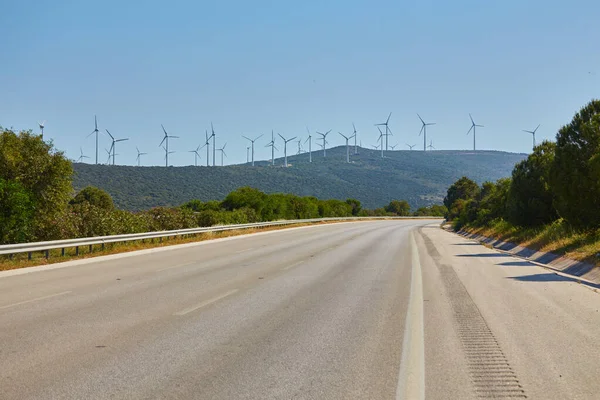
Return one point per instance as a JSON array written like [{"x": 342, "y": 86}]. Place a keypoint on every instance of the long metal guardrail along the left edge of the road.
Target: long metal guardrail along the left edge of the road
[{"x": 10, "y": 249}]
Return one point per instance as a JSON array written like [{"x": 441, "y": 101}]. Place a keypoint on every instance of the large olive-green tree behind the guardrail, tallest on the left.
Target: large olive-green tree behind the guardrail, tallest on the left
[{"x": 42, "y": 171}]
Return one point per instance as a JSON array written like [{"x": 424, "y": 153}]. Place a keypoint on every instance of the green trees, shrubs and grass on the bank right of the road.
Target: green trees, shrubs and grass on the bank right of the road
[{"x": 552, "y": 200}]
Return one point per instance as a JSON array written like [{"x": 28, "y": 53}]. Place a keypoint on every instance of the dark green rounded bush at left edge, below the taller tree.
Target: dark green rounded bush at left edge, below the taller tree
[{"x": 16, "y": 212}]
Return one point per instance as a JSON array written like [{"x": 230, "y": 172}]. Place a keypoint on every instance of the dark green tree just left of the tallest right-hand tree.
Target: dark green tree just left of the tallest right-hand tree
[{"x": 530, "y": 198}]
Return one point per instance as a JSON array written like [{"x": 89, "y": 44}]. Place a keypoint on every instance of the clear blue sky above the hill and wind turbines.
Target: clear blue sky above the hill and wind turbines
[{"x": 255, "y": 66}]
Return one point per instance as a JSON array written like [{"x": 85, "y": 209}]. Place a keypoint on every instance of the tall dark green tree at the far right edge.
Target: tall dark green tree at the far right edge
[{"x": 575, "y": 173}]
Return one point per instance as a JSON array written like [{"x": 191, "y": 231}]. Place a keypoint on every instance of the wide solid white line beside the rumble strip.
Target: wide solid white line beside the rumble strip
[{"x": 411, "y": 377}]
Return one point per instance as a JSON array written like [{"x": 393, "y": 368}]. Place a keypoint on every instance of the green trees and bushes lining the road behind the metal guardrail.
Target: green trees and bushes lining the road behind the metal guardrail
[{"x": 37, "y": 201}]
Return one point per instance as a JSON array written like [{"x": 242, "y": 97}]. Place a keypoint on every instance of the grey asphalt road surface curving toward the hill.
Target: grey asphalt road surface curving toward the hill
[{"x": 361, "y": 310}]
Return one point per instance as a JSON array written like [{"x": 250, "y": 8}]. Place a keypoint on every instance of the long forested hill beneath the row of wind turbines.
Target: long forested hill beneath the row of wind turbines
[{"x": 420, "y": 178}]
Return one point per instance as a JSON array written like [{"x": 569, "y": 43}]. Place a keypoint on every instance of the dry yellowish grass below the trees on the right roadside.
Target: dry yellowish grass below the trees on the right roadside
[{"x": 558, "y": 238}]
